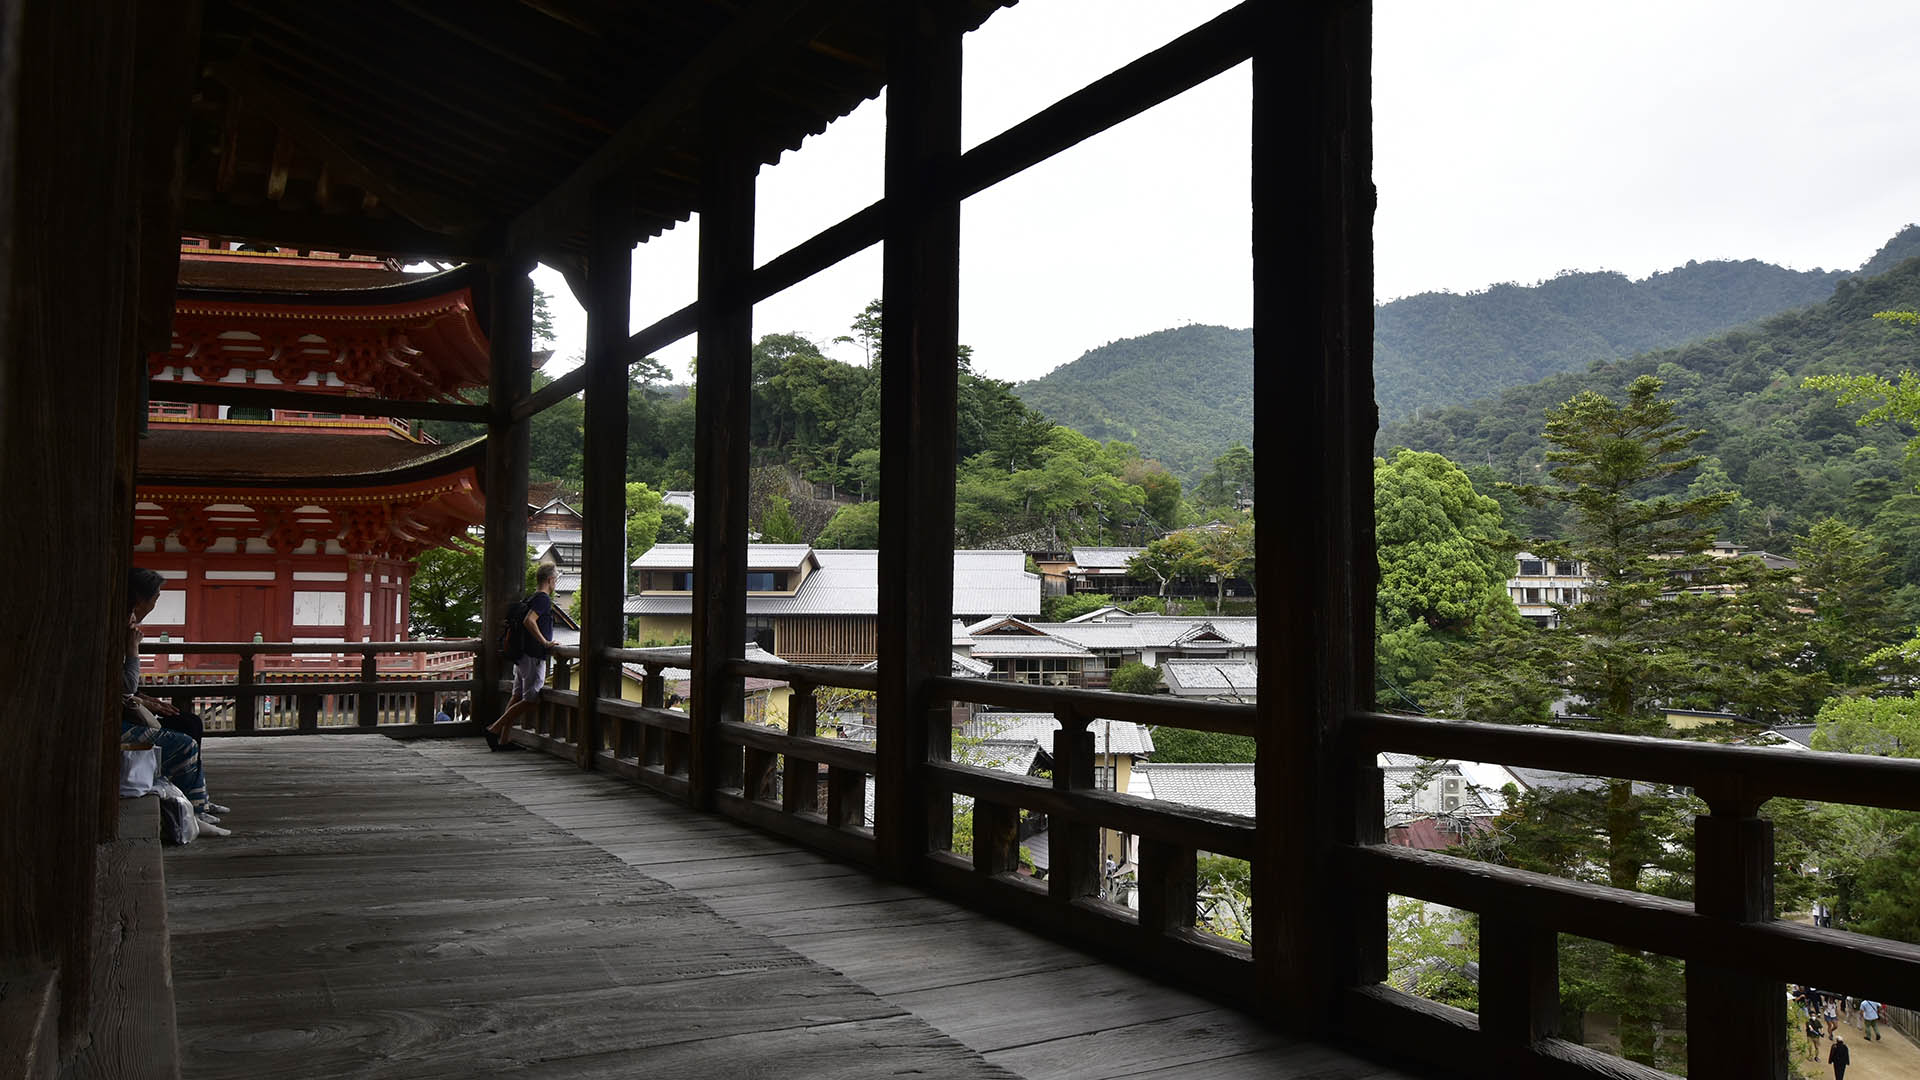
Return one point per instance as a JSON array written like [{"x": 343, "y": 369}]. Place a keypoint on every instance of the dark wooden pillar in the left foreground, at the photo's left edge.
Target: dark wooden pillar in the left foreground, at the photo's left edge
[{"x": 76, "y": 239}]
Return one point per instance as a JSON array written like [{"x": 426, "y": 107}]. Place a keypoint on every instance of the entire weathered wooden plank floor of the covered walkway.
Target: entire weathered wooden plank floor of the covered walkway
[{"x": 435, "y": 910}]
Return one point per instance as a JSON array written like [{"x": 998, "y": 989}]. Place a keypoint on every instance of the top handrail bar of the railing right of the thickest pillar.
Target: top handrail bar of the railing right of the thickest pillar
[{"x": 1756, "y": 773}]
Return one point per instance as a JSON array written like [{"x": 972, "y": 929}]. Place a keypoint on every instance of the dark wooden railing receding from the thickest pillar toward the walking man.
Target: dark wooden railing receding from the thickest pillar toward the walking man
[{"x": 773, "y": 781}]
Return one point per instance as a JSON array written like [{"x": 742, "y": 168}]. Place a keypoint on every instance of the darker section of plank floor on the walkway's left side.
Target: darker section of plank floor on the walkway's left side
[{"x": 379, "y": 916}]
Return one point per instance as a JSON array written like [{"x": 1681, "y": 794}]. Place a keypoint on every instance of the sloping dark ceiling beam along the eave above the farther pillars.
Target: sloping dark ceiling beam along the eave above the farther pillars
[{"x": 759, "y": 34}]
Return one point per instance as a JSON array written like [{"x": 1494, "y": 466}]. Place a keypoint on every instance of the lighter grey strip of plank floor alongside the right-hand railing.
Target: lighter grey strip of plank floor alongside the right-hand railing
[{"x": 1036, "y": 1008}]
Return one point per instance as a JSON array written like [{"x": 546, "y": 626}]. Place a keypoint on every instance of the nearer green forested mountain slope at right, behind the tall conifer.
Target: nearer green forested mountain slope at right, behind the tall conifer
[{"x": 1792, "y": 453}]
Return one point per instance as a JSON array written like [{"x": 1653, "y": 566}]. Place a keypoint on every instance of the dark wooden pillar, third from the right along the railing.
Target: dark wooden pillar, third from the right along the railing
[{"x": 723, "y": 405}]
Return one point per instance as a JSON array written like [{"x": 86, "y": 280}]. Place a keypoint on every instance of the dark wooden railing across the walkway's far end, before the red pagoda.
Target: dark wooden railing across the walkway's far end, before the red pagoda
[{"x": 308, "y": 702}]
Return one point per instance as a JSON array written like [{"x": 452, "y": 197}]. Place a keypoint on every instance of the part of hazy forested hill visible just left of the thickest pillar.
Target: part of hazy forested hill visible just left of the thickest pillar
[{"x": 1184, "y": 397}]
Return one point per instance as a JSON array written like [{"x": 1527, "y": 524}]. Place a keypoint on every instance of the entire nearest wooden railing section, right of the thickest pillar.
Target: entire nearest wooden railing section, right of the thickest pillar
[{"x": 1739, "y": 954}]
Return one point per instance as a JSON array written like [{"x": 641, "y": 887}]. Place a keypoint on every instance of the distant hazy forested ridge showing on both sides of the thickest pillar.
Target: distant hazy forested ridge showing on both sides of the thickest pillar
[{"x": 1186, "y": 395}]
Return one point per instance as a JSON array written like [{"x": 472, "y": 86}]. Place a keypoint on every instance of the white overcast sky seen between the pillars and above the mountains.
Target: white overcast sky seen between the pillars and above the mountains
[{"x": 1512, "y": 141}]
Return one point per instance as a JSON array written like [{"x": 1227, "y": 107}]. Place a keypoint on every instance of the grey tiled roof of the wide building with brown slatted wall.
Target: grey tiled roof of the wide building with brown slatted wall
[{"x": 848, "y": 583}]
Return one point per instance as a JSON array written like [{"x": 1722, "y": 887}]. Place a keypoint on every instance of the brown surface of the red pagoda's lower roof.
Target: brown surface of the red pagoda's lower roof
[{"x": 249, "y": 456}]
